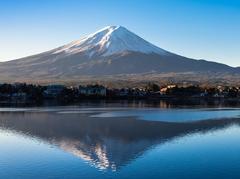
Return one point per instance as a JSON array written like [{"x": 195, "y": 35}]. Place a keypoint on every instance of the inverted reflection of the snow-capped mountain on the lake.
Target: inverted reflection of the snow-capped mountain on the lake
[{"x": 105, "y": 143}]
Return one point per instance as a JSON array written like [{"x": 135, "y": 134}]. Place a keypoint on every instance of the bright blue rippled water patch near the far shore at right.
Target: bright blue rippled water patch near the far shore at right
[{"x": 174, "y": 115}]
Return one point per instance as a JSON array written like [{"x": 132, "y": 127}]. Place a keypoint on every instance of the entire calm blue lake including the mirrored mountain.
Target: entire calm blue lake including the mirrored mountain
[{"x": 119, "y": 141}]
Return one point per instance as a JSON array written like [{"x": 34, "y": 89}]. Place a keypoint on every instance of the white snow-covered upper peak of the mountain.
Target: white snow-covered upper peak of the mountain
[{"x": 108, "y": 41}]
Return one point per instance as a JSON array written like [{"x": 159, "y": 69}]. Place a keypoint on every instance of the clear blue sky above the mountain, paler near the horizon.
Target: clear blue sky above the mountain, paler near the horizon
[{"x": 201, "y": 29}]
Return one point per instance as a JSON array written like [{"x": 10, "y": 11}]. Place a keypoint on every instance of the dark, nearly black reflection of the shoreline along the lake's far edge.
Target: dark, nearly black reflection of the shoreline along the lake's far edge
[{"x": 163, "y": 103}]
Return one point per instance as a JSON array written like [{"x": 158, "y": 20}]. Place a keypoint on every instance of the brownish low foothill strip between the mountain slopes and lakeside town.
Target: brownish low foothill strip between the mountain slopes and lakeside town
[{"x": 137, "y": 80}]
